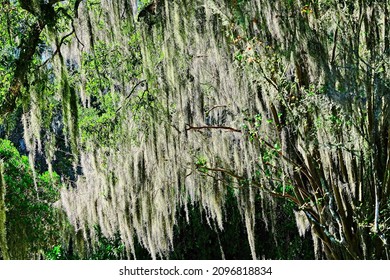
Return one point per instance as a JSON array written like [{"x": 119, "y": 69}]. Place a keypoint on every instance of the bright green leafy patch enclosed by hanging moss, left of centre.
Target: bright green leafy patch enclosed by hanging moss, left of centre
[{"x": 108, "y": 72}]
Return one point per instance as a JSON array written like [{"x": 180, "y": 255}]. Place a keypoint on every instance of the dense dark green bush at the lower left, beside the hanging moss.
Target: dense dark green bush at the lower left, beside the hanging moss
[{"x": 31, "y": 221}]
